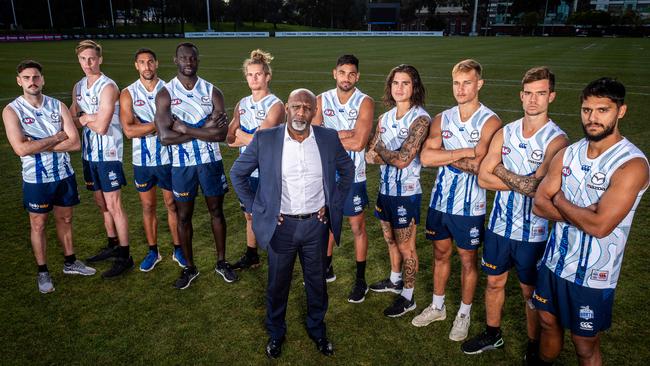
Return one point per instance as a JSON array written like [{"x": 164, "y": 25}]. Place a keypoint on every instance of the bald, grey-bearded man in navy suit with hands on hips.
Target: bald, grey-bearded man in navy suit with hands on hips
[{"x": 304, "y": 176}]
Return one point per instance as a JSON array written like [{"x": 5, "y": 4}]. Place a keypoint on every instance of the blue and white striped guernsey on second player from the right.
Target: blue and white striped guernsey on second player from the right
[{"x": 512, "y": 215}]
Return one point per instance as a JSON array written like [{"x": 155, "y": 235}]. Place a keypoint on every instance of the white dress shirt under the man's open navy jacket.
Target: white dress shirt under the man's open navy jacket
[{"x": 302, "y": 176}]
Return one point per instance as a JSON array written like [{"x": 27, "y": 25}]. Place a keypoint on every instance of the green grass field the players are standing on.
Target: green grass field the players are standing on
[{"x": 141, "y": 319}]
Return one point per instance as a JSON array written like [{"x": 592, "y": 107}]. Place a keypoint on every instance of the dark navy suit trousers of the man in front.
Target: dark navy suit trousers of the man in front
[{"x": 307, "y": 239}]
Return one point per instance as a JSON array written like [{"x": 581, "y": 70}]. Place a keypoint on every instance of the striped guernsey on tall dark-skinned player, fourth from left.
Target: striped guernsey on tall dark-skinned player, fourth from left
[{"x": 193, "y": 107}]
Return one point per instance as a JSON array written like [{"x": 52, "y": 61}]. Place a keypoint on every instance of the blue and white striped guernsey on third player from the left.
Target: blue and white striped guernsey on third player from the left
[{"x": 147, "y": 150}]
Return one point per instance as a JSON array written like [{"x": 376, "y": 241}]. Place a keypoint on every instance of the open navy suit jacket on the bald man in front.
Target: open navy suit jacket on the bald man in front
[{"x": 265, "y": 153}]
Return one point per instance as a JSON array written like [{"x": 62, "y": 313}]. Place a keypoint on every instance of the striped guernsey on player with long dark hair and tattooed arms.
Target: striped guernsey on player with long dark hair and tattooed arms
[{"x": 393, "y": 181}]
